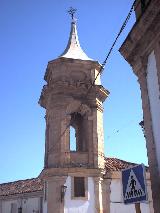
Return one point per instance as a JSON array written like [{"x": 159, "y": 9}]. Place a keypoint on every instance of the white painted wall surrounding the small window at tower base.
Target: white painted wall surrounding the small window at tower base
[{"x": 79, "y": 206}]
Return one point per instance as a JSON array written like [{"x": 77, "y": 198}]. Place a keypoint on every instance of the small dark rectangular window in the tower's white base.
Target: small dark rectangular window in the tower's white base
[{"x": 79, "y": 187}]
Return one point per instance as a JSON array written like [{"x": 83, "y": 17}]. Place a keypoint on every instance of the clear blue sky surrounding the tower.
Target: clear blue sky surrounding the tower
[{"x": 35, "y": 32}]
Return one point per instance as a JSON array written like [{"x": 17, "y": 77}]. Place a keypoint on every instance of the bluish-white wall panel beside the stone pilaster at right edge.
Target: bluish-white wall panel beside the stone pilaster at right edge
[{"x": 154, "y": 97}]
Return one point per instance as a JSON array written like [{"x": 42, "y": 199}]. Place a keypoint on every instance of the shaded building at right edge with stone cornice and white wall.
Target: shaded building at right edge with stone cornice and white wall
[{"x": 141, "y": 49}]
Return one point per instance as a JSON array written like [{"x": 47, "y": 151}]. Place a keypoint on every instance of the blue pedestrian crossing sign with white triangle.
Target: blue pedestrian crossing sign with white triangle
[{"x": 134, "y": 184}]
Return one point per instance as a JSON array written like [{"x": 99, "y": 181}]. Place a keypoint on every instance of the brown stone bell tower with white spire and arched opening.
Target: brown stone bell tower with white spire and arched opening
[{"x": 73, "y": 179}]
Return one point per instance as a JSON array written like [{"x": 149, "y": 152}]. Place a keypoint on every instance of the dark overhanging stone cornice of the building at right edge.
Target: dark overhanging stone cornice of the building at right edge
[{"x": 143, "y": 35}]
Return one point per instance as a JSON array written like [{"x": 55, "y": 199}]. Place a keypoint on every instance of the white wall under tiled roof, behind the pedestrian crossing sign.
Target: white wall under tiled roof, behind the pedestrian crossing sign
[{"x": 117, "y": 205}]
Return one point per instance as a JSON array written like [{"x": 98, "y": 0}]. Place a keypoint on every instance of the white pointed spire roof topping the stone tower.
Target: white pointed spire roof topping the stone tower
[{"x": 73, "y": 49}]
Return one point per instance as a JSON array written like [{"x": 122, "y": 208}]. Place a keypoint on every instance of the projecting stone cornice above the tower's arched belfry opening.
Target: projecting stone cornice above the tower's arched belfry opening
[{"x": 73, "y": 88}]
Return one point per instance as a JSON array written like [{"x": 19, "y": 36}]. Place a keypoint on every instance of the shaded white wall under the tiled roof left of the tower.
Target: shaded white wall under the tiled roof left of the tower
[{"x": 28, "y": 205}]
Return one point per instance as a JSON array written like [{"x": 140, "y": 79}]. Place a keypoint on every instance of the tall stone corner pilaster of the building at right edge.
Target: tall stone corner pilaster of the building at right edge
[{"x": 151, "y": 151}]
